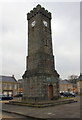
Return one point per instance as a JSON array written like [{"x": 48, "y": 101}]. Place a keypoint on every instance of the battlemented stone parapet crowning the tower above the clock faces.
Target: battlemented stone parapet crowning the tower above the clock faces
[{"x": 38, "y": 9}]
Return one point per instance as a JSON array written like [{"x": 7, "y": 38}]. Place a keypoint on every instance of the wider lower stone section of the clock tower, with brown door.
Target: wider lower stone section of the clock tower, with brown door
[{"x": 40, "y": 87}]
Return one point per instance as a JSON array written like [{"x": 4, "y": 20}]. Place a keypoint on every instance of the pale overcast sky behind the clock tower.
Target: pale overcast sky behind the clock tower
[{"x": 65, "y": 36}]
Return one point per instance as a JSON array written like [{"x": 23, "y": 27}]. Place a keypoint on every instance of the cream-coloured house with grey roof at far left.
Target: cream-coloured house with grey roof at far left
[{"x": 9, "y": 85}]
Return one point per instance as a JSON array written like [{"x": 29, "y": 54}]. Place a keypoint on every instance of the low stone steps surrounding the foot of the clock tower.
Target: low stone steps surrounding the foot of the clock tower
[{"x": 43, "y": 104}]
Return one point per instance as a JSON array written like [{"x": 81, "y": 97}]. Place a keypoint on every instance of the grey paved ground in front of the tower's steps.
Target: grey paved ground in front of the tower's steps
[{"x": 71, "y": 110}]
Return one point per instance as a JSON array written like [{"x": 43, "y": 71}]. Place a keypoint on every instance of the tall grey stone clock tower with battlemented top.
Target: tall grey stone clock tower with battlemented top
[{"x": 40, "y": 80}]
